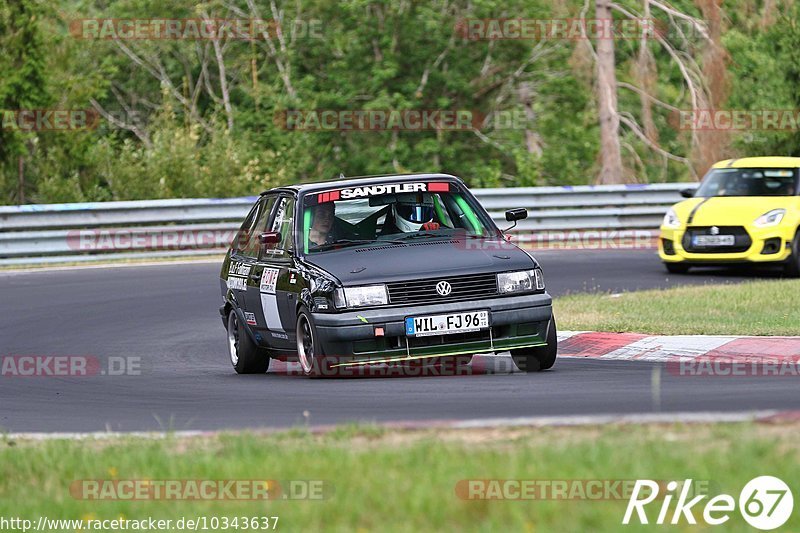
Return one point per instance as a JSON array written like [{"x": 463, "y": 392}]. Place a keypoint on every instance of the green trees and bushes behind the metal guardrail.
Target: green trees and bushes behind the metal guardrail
[{"x": 364, "y": 55}]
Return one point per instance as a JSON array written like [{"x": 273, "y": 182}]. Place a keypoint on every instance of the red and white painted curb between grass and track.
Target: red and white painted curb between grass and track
[{"x": 666, "y": 348}]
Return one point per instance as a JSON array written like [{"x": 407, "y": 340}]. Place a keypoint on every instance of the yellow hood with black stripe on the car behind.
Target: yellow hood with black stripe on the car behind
[{"x": 729, "y": 210}]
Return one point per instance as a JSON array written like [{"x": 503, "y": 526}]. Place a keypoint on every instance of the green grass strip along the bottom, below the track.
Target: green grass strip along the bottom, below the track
[{"x": 402, "y": 480}]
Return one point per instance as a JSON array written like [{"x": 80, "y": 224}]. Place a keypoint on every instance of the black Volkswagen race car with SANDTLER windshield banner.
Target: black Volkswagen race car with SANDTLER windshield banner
[{"x": 388, "y": 270}]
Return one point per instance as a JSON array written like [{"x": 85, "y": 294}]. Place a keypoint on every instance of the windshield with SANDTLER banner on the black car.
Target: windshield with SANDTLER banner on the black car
[{"x": 391, "y": 213}]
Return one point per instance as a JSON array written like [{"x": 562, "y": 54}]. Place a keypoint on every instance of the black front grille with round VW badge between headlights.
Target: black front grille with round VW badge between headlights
[{"x": 469, "y": 287}]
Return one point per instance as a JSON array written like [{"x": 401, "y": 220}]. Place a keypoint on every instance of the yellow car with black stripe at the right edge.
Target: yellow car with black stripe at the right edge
[{"x": 745, "y": 211}]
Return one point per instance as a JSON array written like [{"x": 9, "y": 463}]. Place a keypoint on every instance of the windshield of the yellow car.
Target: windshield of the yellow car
[{"x": 748, "y": 182}]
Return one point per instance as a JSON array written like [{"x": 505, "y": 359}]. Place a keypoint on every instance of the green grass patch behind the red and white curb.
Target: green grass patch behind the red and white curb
[{"x": 752, "y": 308}]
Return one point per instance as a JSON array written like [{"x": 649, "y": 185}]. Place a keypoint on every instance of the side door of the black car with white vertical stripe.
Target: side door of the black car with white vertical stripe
[{"x": 278, "y": 281}]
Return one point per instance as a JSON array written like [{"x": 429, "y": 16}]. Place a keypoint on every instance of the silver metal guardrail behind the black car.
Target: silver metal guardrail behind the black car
[{"x": 161, "y": 228}]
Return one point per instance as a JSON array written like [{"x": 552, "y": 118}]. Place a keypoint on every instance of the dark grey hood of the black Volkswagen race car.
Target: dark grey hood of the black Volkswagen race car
[{"x": 385, "y": 263}]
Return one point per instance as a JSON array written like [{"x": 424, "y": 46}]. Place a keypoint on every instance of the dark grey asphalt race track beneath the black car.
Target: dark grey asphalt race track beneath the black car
[{"x": 166, "y": 315}]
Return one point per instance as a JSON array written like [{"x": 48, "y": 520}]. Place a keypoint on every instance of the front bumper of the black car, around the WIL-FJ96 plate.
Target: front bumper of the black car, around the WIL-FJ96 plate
[{"x": 350, "y": 338}]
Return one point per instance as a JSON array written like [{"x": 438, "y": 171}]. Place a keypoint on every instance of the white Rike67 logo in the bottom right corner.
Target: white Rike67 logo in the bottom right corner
[{"x": 765, "y": 503}]
